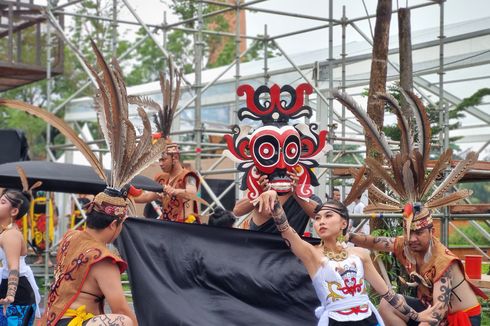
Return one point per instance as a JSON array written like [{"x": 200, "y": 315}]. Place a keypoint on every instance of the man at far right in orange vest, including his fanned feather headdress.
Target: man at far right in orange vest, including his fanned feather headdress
[{"x": 436, "y": 272}]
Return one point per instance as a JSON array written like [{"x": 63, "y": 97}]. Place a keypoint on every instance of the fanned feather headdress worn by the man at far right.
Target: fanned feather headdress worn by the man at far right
[{"x": 406, "y": 172}]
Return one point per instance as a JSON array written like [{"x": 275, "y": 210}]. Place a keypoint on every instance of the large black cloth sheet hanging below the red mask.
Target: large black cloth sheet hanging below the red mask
[{"x": 190, "y": 274}]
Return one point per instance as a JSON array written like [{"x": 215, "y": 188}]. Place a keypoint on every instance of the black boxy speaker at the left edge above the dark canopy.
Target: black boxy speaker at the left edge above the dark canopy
[{"x": 13, "y": 146}]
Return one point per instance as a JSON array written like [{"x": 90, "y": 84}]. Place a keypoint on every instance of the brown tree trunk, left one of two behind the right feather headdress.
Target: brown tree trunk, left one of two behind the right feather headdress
[{"x": 375, "y": 107}]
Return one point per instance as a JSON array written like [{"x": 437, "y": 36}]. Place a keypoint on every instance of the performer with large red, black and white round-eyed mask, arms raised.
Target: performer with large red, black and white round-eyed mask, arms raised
[{"x": 277, "y": 155}]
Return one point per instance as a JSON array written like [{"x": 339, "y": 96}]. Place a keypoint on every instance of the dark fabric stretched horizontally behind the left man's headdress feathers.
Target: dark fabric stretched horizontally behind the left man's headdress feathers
[{"x": 61, "y": 177}]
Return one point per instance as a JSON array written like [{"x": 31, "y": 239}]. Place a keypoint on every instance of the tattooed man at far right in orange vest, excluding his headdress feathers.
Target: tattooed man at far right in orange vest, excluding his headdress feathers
[{"x": 438, "y": 274}]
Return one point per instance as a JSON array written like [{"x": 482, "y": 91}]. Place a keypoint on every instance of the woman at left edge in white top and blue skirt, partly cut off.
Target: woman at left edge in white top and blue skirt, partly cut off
[{"x": 18, "y": 289}]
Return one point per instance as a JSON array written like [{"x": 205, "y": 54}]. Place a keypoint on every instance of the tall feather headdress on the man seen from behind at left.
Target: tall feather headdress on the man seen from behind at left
[{"x": 129, "y": 155}]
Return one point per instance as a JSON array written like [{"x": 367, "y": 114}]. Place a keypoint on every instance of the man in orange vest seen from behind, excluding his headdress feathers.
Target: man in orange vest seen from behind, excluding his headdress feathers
[{"x": 87, "y": 272}]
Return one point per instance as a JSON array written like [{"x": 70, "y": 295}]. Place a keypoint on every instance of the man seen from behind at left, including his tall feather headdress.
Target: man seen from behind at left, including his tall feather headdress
[{"x": 86, "y": 271}]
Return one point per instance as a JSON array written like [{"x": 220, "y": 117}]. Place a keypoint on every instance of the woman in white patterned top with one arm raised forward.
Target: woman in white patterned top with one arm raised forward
[{"x": 338, "y": 274}]
